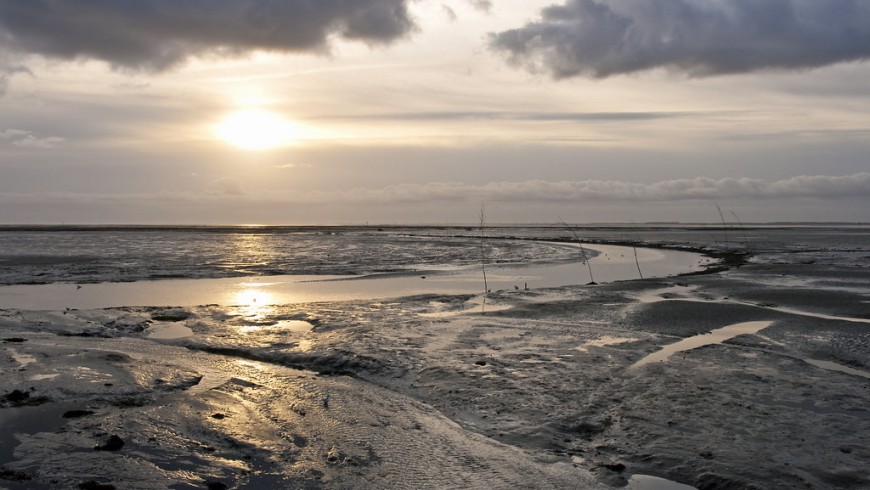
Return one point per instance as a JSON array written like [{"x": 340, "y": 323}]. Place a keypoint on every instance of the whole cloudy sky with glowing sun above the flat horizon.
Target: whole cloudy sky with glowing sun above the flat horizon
[{"x": 425, "y": 111}]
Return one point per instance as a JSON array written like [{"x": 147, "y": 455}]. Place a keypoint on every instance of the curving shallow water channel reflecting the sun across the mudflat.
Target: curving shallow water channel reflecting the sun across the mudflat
[{"x": 613, "y": 263}]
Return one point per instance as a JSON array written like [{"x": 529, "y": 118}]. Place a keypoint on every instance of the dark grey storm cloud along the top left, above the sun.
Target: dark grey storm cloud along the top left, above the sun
[{"x": 157, "y": 34}]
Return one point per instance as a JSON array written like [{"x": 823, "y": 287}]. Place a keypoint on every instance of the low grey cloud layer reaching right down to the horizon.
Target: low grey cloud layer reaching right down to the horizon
[{"x": 806, "y": 198}]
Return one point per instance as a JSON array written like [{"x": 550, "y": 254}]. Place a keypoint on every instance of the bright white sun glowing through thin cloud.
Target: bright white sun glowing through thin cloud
[{"x": 257, "y": 130}]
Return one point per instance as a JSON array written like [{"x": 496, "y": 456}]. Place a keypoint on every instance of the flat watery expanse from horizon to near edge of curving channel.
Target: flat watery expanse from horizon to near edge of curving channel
[{"x": 297, "y": 264}]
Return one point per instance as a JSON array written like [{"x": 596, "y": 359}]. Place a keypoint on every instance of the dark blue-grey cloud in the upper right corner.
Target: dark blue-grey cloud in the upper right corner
[{"x": 697, "y": 37}]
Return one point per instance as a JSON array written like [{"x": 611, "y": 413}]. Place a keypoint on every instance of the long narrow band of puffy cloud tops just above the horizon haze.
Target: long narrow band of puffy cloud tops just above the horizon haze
[{"x": 821, "y": 187}]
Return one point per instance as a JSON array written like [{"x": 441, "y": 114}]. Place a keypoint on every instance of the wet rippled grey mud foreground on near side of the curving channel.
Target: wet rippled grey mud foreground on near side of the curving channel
[{"x": 544, "y": 394}]
